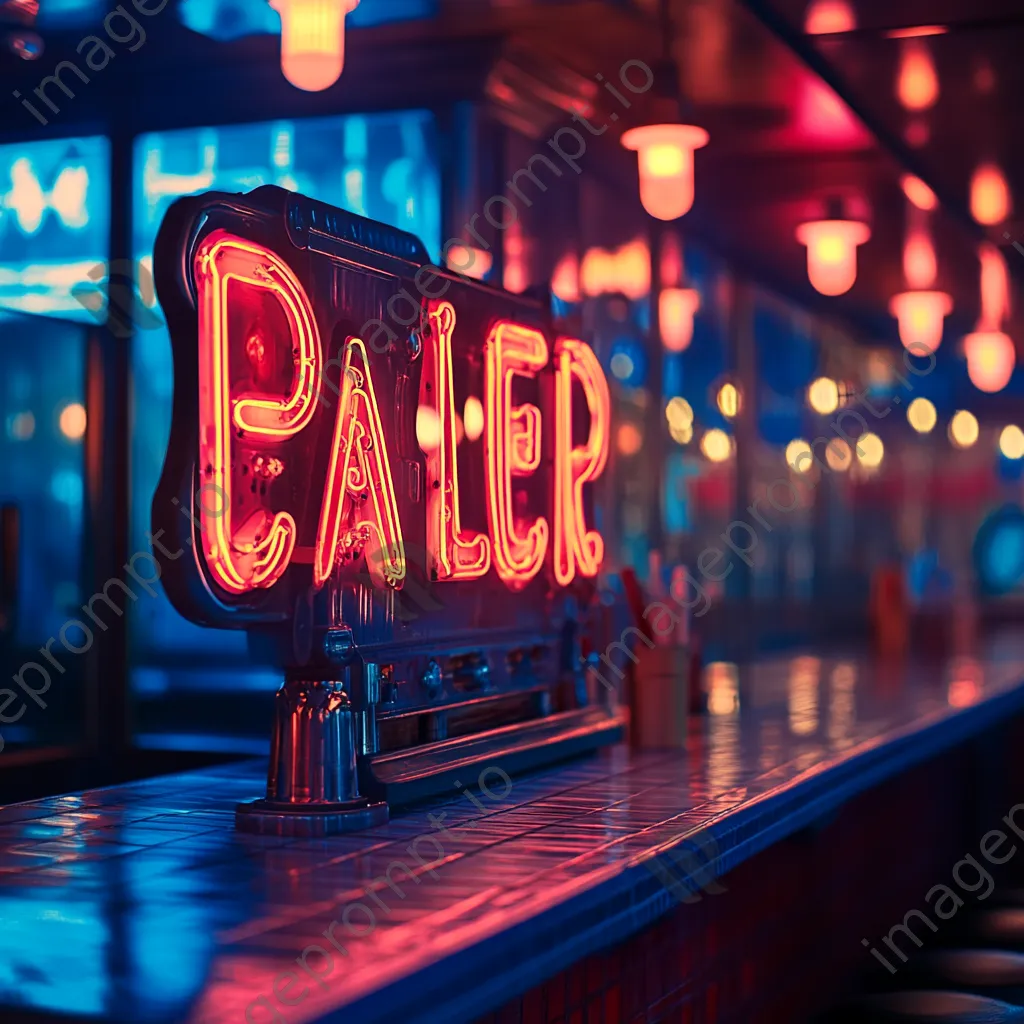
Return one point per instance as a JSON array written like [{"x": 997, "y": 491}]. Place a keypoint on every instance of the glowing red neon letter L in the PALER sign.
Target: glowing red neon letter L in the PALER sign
[{"x": 458, "y": 554}]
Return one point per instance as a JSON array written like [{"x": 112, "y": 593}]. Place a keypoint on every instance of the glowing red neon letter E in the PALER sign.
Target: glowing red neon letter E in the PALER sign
[{"x": 513, "y": 435}]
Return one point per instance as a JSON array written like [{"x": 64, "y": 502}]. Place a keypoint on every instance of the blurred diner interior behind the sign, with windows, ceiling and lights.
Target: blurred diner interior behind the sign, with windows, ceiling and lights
[{"x": 837, "y": 318}]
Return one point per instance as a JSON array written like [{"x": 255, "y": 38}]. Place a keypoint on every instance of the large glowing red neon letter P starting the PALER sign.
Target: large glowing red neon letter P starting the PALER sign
[{"x": 257, "y": 553}]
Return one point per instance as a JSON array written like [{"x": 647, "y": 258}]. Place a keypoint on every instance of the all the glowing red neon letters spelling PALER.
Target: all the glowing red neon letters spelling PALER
[{"x": 270, "y": 448}]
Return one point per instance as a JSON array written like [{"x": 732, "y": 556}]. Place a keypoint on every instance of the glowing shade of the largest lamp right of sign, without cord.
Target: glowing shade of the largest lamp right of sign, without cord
[{"x": 666, "y": 158}]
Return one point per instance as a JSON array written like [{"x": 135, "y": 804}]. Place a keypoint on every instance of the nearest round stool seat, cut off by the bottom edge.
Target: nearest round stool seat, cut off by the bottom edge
[{"x": 927, "y": 1008}]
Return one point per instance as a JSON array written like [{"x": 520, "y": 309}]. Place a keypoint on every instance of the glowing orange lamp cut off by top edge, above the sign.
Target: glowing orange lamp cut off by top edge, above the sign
[{"x": 313, "y": 41}]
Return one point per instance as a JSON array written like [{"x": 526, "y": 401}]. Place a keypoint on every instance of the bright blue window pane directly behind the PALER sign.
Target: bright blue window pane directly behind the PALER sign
[{"x": 383, "y": 166}]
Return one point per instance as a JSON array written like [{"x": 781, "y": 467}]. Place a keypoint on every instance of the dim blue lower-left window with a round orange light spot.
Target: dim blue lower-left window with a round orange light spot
[{"x": 42, "y": 378}]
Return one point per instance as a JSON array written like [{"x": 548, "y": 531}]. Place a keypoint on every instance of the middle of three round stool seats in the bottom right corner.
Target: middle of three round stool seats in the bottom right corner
[{"x": 996, "y": 973}]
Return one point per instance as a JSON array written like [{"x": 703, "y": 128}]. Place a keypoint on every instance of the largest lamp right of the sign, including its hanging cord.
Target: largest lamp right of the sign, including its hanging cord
[{"x": 665, "y": 151}]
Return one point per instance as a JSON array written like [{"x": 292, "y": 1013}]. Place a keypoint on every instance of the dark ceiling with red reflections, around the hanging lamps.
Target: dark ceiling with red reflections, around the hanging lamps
[{"x": 797, "y": 121}]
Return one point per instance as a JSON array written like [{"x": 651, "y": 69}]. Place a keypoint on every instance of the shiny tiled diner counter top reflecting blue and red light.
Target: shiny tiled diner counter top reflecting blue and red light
[{"x": 143, "y": 904}]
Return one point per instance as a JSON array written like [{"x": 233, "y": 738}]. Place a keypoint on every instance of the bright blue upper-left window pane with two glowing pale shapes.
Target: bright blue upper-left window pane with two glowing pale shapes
[{"x": 55, "y": 224}]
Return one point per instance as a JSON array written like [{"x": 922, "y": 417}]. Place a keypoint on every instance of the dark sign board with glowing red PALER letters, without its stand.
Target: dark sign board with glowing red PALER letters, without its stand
[{"x": 294, "y": 447}]
